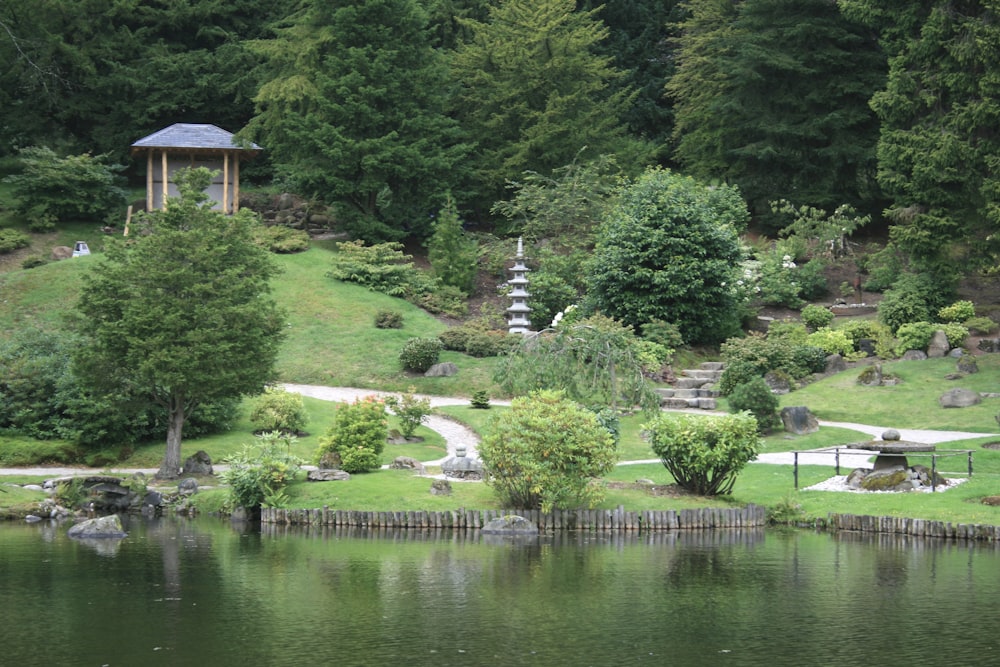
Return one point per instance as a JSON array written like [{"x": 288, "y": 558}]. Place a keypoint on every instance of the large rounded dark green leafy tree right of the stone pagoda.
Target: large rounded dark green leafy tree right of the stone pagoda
[{"x": 669, "y": 251}]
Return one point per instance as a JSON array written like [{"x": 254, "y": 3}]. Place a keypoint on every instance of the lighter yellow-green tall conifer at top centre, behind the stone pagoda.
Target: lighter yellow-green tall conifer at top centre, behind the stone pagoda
[{"x": 533, "y": 92}]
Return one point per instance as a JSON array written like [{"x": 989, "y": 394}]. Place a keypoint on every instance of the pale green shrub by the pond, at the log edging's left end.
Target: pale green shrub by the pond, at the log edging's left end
[{"x": 257, "y": 474}]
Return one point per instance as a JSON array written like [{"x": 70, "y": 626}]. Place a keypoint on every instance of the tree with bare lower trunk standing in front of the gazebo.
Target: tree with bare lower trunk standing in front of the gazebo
[{"x": 180, "y": 311}]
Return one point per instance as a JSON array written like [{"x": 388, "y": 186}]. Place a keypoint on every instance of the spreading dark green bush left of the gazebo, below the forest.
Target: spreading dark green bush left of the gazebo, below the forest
[{"x": 77, "y": 187}]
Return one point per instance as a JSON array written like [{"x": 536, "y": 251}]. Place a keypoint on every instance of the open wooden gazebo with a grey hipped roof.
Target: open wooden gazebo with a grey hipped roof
[{"x": 193, "y": 145}]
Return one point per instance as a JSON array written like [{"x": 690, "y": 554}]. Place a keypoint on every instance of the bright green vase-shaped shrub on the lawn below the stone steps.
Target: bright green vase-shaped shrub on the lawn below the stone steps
[{"x": 704, "y": 454}]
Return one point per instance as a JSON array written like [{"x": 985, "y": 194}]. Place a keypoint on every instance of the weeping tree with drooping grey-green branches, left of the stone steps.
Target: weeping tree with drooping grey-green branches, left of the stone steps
[{"x": 596, "y": 361}]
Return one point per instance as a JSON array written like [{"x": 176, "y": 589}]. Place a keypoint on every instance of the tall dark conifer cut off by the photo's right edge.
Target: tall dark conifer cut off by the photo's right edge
[{"x": 940, "y": 128}]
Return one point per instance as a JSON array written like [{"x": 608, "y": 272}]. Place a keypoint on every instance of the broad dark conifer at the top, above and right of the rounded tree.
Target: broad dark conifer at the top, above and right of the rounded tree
[{"x": 772, "y": 95}]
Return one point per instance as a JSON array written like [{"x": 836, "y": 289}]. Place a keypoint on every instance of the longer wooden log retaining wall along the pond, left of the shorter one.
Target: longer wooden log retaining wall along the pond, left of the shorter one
[{"x": 587, "y": 520}]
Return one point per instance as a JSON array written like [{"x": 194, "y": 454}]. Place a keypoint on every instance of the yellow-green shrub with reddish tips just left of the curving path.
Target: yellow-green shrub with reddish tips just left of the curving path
[{"x": 357, "y": 435}]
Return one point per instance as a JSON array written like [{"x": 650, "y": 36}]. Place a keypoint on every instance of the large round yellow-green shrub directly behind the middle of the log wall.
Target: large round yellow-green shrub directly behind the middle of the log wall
[{"x": 546, "y": 452}]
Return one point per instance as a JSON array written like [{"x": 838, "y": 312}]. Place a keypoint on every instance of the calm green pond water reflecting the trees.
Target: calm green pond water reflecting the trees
[{"x": 185, "y": 592}]
